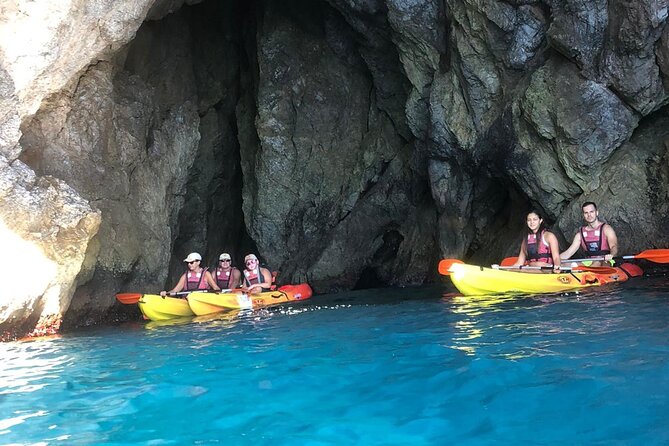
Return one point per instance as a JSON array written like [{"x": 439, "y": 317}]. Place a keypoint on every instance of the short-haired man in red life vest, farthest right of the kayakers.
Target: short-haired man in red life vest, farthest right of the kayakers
[{"x": 596, "y": 238}]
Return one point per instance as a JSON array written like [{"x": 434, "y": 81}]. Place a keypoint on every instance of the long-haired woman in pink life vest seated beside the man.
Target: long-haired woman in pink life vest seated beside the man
[{"x": 540, "y": 247}]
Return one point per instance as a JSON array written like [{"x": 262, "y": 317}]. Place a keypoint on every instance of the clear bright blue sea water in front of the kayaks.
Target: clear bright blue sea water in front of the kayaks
[{"x": 386, "y": 367}]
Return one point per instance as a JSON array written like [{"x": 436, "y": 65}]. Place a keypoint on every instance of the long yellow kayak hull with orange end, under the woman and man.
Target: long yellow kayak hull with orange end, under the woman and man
[{"x": 474, "y": 280}]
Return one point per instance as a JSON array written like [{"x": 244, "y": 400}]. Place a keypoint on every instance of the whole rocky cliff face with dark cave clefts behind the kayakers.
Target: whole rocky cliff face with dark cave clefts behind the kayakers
[{"x": 348, "y": 143}]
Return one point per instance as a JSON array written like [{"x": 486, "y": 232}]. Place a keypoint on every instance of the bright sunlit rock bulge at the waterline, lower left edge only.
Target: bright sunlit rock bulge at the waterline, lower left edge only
[{"x": 45, "y": 234}]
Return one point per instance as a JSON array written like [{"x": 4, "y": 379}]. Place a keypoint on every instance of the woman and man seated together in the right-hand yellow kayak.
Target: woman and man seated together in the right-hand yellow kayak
[{"x": 540, "y": 247}]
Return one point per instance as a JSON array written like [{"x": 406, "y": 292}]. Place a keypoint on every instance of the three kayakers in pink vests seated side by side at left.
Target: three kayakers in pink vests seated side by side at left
[{"x": 253, "y": 279}]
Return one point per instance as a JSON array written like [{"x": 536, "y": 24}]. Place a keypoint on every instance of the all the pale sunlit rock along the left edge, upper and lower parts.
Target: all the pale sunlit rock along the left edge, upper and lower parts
[{"x": 47, "y": 225}]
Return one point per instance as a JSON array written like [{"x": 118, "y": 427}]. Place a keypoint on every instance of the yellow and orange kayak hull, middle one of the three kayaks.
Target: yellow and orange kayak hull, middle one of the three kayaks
[{"x": 202, "y": 303}]
